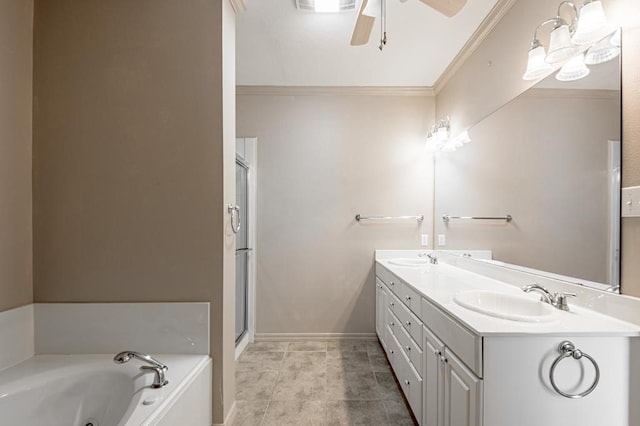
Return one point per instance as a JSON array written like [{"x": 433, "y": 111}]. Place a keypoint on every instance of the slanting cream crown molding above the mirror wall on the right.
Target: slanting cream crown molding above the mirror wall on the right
[{"x": 486, "y": 26}]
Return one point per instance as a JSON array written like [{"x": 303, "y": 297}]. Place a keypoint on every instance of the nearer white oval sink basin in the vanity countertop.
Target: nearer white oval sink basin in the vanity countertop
[{"x": 506, "y": 306}]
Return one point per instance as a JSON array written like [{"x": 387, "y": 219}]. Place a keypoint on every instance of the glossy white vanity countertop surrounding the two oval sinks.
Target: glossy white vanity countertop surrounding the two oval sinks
[{"x": 439, "y": 283}]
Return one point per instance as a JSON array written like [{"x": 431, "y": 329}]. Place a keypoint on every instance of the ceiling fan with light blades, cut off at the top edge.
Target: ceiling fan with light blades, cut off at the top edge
[{"x": 370, "y": 9}]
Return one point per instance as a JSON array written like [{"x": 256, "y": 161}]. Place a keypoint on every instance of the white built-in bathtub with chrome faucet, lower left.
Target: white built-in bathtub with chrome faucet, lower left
[{"x": 80, "y": 390}]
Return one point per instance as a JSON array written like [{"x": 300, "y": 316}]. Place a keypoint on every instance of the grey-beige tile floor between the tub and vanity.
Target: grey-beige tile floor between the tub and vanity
[{"x": 345, "y": 382}]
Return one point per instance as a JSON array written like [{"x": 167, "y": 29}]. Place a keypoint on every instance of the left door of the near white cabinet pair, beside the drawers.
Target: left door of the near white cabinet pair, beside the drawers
[{"x": 433, "y": 386}]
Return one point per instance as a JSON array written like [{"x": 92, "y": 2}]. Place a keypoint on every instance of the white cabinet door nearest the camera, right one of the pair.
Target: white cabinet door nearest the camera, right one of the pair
[{"x": 462, "y": 394}]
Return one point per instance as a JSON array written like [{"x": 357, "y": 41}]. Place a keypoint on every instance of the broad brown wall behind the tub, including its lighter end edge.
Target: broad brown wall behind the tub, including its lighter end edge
[{"x": 129, "y": 142}]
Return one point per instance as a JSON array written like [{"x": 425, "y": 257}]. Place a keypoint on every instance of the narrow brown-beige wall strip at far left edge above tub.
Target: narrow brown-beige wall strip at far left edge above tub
[{"x": 16, "y": 52}]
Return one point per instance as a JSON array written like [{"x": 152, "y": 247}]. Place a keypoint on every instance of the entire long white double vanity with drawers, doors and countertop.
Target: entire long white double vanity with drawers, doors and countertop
[{"x": 440, "y": 350}]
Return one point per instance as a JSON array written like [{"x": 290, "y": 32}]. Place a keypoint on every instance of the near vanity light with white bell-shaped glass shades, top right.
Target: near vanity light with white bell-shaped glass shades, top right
[{"x": 567, "y": 42}]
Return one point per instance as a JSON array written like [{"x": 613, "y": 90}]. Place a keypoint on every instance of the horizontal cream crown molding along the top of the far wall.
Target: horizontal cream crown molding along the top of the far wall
[{"x": 333, "y": 91}]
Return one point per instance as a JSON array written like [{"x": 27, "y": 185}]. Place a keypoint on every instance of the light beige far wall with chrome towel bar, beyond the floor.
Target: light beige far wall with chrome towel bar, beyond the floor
[{"x": 321, "y": 160}]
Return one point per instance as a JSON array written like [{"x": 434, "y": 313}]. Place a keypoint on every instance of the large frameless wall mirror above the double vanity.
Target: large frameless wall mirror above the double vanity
[{"x": 551, "y": 159}]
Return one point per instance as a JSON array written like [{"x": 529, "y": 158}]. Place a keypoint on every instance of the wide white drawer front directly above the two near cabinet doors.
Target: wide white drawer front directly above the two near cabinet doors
[{"x": 465, "y": 344}]
